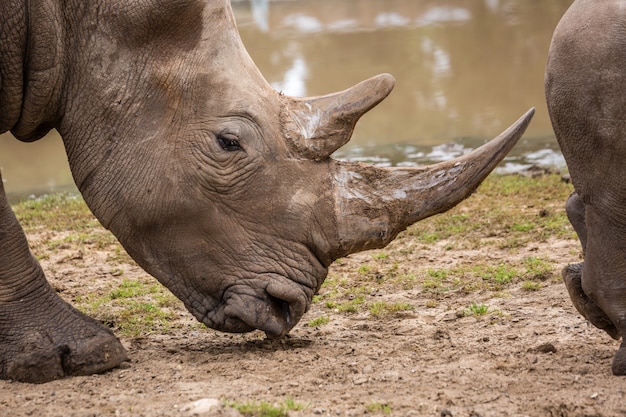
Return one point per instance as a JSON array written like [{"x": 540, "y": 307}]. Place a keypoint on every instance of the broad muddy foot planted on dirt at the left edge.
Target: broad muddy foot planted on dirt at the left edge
[{"x": 47, "y": 339}]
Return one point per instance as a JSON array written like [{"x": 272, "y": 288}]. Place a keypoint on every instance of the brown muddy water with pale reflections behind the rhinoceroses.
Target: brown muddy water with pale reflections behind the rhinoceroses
[{"x": 465, "y": 70}]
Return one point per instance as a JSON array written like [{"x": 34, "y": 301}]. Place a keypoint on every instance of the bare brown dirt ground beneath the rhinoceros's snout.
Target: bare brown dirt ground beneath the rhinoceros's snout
[{"x": 537, "y": 357}]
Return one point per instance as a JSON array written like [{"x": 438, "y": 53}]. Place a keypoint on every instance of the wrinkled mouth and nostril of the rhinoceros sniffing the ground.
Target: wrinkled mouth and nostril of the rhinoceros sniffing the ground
[{"x": 271, "y": 303}]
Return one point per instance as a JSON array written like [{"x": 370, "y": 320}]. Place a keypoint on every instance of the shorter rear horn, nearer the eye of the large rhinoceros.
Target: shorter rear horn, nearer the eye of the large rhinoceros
[{"x": 315, "y": 127}]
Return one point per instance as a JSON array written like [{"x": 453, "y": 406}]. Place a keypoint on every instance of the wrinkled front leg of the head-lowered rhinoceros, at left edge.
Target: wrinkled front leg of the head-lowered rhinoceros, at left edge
[{"x": 43, "y": 338}]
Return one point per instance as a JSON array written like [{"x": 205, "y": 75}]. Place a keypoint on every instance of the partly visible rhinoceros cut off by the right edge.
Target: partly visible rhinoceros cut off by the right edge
[{"x": 586, "y": 94}]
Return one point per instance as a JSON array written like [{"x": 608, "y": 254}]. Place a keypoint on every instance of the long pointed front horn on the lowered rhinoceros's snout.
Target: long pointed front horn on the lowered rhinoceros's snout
[{"x": 374, "y": 204}]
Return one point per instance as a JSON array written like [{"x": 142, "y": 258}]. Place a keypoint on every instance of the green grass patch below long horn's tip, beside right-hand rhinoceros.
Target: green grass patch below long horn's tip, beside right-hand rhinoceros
[{"x": 510, "y": 210}]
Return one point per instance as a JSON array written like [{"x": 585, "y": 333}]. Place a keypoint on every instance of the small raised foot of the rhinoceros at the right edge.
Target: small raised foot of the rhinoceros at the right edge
[{"x": 572, "y": 276}]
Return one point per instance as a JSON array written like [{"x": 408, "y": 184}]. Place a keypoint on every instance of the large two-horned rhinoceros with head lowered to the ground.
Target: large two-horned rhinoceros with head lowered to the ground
[{"x": 217, "y": 185}]
